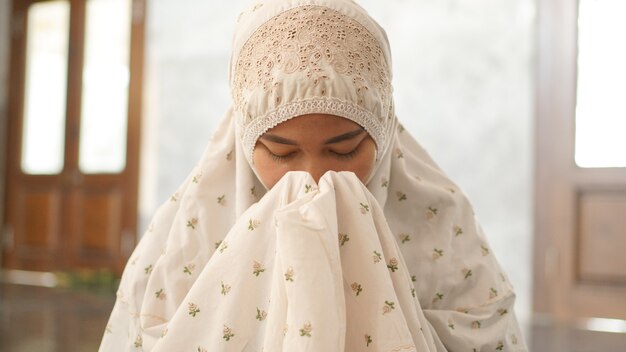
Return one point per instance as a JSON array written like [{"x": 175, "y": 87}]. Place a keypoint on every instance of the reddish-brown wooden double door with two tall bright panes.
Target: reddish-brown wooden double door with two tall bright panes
[{"x": 73, "y": 145}]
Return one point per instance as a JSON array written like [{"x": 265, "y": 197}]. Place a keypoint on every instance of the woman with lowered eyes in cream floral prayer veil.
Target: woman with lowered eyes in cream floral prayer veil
[{"x": 313, "y": 221}]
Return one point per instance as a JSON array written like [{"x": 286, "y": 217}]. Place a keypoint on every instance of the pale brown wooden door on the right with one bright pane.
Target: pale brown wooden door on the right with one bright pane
[{"x": 580, "y": 238}]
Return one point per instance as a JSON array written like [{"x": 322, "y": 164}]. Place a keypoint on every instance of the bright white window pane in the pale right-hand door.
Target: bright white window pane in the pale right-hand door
[{"x": 601, "y": 96}]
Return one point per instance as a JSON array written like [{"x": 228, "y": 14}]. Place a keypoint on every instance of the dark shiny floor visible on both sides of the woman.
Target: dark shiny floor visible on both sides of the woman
[{"x": 56, "y": 320}]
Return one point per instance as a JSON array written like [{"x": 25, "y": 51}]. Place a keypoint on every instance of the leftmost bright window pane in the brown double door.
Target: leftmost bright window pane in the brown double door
[{"x": 43, "y": 138}]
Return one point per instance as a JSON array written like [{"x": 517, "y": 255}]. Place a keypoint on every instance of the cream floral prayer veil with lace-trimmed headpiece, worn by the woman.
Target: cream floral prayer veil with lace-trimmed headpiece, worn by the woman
[{"x": 292, "y": 58}]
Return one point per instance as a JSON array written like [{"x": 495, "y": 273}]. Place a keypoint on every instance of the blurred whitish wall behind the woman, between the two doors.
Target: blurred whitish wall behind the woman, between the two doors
[{"x": 463, "y": 87}]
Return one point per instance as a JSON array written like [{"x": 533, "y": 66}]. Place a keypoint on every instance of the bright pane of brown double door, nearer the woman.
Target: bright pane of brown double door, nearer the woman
[{"x": 105, "y": 86}]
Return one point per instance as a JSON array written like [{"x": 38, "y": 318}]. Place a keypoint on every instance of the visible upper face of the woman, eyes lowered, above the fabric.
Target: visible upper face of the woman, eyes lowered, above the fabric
[{"x": 314, "y": 143}]
